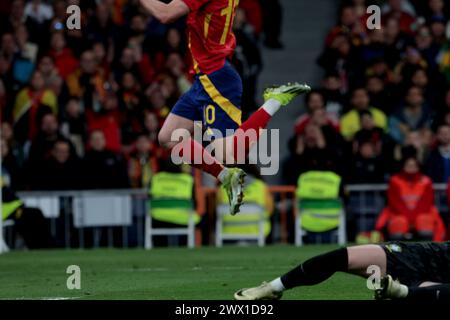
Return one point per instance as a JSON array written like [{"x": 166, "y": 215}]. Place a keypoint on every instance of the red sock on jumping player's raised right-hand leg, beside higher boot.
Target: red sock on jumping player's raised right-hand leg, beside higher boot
[{"x": 249, "y": 132}]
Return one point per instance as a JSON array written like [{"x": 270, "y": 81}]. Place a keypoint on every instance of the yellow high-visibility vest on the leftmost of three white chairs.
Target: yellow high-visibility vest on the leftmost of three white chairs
[{"x": 171, "y": 198}]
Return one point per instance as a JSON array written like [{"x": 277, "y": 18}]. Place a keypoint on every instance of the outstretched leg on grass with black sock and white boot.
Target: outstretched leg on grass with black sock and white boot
[{"x": 354, "y": 260}]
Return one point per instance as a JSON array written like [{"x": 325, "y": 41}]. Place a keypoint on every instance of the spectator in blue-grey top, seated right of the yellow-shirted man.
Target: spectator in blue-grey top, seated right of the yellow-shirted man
[{"x": 414, "y": 115}]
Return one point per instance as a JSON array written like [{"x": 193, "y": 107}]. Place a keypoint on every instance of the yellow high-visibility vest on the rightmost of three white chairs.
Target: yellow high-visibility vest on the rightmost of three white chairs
[{"x": 319, "y": 203}]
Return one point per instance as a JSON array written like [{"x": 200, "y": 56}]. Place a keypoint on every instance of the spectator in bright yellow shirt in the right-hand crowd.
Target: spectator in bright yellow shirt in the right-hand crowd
[{"x": 351, "y": 121}]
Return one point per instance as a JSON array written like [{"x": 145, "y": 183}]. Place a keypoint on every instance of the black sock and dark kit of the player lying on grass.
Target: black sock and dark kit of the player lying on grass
[{"x": 410, "y": 263}]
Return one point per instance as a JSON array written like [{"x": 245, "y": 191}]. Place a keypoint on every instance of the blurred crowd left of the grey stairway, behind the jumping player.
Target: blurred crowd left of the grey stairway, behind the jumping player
[{"x": 82, "y": 108}]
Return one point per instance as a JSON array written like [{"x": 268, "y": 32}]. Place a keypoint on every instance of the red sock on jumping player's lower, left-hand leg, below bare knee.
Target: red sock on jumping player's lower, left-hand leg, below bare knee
[{"x": 199, "y": 158}]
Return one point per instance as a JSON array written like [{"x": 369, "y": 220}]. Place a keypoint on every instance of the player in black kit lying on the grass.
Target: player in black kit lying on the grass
[{"x": 420, "y": 270}]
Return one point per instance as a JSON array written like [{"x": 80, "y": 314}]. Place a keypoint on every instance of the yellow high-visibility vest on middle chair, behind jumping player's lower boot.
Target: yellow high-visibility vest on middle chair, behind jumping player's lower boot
[{"x": 247, "y": 223}]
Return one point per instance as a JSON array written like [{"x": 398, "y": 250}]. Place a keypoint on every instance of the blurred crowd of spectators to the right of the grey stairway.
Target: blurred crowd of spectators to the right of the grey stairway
[{"x": 384, "y": 97}]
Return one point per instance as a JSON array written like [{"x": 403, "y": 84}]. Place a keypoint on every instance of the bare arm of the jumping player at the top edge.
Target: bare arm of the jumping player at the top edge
[{"x": 166, "y": 12}]
